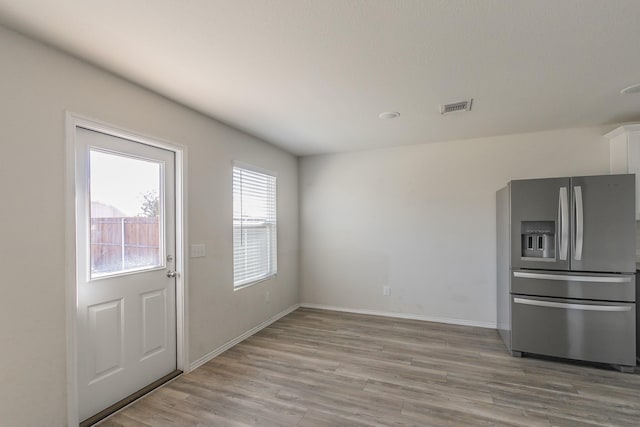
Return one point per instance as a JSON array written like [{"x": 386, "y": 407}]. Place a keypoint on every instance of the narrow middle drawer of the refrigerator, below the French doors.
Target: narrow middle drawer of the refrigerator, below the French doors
[{"x": 613, "y": 287}]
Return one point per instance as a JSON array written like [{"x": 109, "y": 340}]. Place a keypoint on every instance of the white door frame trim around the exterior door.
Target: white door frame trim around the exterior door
[{"x": 74, "y": 121}]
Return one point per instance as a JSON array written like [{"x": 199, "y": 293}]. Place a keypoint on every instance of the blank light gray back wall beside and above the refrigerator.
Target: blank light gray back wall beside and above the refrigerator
[{"x": 421, "y": 219}]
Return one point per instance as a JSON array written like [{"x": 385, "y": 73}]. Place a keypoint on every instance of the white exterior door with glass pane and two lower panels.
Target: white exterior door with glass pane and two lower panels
[{"x": 126, "y": 295}]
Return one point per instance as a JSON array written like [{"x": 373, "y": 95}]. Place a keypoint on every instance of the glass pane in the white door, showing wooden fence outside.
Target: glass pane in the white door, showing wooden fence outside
[{"x": 126, "y": 230}]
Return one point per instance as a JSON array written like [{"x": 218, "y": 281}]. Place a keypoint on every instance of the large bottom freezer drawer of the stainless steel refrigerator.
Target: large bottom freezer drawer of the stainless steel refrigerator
[{"x": 594, "y": 331}]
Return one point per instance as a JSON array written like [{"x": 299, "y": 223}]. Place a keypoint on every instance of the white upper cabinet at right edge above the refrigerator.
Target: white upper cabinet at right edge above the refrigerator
[{"x": 625, "y": 154}]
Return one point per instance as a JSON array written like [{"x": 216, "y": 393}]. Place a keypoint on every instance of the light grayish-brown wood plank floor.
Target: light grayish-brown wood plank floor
[{"x": 324, "y": 368}]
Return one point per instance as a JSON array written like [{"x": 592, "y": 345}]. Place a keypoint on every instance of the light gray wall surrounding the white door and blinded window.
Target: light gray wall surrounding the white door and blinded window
[{"x": 37, "y": 85}]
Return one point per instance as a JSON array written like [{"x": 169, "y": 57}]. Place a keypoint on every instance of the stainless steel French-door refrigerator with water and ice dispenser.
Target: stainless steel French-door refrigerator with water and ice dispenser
[{"x": 566, "y": 268}]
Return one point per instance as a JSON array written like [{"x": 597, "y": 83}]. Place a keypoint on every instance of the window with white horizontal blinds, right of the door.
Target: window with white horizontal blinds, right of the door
[{"x": 254, "y": 226}]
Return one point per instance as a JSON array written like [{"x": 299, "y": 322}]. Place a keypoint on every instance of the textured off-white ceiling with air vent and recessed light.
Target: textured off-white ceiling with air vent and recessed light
[{"x": 312, "y": 76}]
